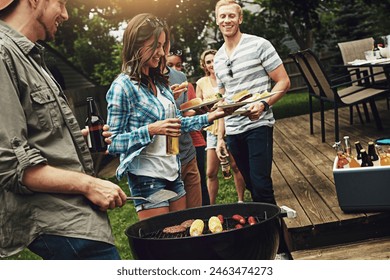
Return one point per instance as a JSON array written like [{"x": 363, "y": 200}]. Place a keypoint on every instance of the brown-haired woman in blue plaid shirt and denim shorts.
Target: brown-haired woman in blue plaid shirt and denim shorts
[{"x": 138, "y": 100}]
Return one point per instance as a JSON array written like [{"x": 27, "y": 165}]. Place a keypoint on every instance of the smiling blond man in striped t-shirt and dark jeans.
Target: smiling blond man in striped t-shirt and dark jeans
[{"x": 248, "y": 62}]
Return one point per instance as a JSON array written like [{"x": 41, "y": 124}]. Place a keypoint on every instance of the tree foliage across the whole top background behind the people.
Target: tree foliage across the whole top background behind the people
[{"x": 87, "y": 38}]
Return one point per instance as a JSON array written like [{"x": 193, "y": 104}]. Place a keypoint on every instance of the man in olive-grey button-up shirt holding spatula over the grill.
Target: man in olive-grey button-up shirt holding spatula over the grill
[{"x": 46, "y": 182}]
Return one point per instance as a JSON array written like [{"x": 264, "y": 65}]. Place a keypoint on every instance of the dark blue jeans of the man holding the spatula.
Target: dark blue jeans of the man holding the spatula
[{"x": 55, "y": 247}]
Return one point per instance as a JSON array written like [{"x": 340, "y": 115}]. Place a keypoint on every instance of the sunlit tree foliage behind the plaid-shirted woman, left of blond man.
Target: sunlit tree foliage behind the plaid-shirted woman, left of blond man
[{"x": 86, "y": 40}]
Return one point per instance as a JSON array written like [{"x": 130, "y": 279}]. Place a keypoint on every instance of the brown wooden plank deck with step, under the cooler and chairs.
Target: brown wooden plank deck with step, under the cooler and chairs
[{"x": 303, "y": 180}]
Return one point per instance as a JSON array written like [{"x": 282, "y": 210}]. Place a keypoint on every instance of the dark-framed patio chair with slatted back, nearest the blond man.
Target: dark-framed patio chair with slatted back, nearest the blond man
[{"x": 342, "y": 94}]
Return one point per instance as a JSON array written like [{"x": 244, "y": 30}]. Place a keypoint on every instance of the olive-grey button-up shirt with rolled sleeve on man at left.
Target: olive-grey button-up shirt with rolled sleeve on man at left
[{"x": 38, "y": 127}]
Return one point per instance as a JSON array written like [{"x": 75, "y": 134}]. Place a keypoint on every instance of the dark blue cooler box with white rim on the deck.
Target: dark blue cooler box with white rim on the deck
[{"x": 364, "y": 189}]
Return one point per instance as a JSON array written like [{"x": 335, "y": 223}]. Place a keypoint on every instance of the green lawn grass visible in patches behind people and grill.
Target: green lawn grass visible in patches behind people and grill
[{"x": 292, "y": 104}]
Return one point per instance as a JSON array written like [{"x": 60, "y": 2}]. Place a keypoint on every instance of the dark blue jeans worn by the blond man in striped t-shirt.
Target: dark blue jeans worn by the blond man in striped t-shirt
[{"x": 252, "y": 151}]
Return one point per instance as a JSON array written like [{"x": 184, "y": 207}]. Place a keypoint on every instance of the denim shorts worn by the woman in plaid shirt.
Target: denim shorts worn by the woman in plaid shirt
[{"x": 145, "y": 186}]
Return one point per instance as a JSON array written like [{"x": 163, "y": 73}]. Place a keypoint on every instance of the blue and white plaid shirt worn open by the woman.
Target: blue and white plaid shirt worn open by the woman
[{"x": 131, "y": 108}]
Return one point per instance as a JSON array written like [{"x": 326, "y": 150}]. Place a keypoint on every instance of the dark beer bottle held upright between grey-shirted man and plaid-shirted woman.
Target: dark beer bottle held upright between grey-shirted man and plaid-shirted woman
[{"x": 94, "y": 123}]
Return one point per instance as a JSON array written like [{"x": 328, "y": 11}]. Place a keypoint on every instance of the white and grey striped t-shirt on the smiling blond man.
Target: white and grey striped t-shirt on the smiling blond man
[{"x": 251, "y": 61}]
